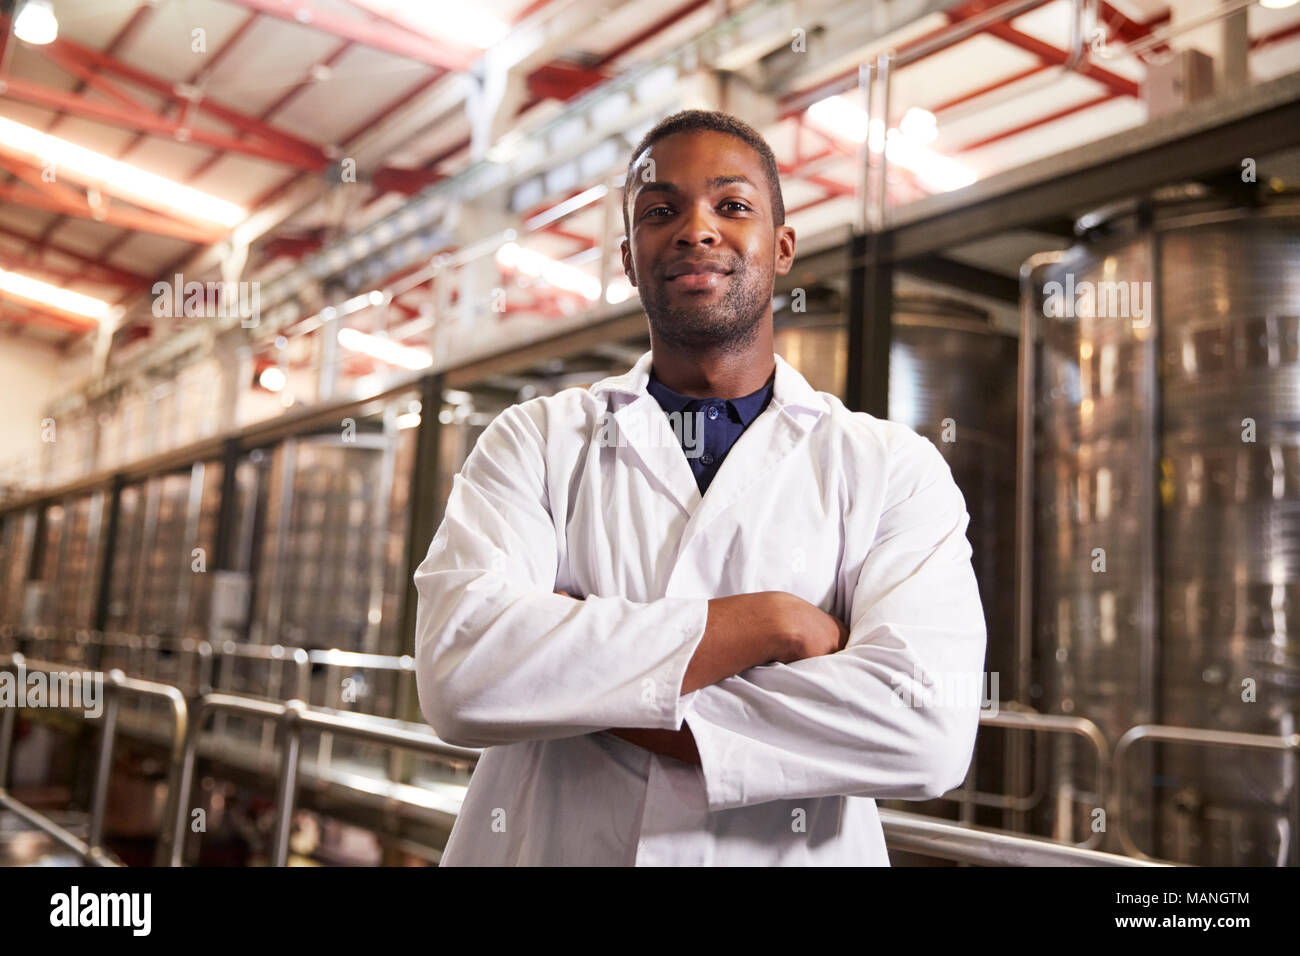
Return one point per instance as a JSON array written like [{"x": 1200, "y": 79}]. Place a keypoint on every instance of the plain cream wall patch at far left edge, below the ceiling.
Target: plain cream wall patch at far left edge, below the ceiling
[{"x": 32, "y": 375}]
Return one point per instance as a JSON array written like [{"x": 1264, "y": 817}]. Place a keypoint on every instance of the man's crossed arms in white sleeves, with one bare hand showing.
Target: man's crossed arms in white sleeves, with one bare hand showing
[{"x": 783, "y": 702}]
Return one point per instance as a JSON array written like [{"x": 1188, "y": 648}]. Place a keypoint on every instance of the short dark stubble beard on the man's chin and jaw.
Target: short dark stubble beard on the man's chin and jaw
[{"x": 726, "y": 323}]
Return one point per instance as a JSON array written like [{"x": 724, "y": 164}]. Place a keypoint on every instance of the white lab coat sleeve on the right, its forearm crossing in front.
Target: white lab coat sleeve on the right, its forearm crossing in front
[{"x": 896, "y": 712}]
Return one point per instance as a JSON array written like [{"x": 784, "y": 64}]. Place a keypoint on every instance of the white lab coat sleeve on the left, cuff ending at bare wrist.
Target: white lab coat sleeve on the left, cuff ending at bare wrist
[{"x": 501, "y": 657}]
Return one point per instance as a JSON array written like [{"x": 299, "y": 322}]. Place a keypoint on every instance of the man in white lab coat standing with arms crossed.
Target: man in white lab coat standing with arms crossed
[{"x": 713, "y": 647}]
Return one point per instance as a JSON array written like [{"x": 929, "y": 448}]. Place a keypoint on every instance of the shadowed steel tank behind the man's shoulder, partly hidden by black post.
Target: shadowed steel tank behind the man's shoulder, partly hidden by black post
[{"x": 952, "y": 379}]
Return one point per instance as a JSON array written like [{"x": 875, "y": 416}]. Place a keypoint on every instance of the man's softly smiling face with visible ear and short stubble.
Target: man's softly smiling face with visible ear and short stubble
[{"x": 701, "y": 207}]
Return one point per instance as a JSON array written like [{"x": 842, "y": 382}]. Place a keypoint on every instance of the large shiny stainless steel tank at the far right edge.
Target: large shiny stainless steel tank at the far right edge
[{"x": 1168, "y": 514}]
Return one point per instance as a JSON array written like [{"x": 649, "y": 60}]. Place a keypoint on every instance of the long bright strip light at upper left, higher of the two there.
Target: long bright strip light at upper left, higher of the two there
[{"x": 119, "y": 179}]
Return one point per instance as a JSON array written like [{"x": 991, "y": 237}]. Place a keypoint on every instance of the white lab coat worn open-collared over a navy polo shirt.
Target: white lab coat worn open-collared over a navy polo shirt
[{"x": 855, "y": 514}]
